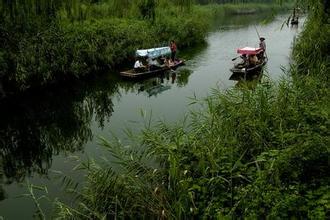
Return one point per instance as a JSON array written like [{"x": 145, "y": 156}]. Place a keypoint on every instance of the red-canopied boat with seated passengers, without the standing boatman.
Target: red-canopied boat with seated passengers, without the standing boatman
[{"x": 246, "y": 68}]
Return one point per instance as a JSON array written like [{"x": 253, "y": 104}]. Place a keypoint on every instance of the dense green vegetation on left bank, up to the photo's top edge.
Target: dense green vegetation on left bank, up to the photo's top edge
[{"x": 43, "y": 42}]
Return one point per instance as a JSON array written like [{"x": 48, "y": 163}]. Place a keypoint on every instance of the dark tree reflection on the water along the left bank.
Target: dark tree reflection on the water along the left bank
[{"x": 36, "y": 126}]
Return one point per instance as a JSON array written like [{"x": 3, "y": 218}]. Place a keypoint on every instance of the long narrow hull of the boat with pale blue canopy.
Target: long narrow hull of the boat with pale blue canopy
[{"x": 132, "y": 73}]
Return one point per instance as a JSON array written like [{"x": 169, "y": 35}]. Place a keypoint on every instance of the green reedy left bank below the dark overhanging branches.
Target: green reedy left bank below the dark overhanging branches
[{"x": 72, "y": 47}]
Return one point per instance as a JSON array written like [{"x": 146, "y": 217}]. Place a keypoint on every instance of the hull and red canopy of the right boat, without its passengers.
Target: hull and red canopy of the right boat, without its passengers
[{"x": 242, "y": 71}]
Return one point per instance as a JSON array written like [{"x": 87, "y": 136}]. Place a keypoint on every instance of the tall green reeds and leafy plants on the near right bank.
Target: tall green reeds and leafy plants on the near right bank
[{"x": 261, "y": 153}]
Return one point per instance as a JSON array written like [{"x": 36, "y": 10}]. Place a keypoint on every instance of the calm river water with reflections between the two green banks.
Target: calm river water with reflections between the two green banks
[{"x": 43, "y": 133}]
